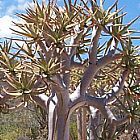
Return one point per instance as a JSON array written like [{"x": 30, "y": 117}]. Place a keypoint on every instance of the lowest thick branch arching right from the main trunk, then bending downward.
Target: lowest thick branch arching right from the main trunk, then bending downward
[{"x": 99, "y": 104}]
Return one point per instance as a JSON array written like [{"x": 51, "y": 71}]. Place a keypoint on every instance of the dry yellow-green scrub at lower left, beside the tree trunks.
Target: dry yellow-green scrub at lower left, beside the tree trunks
[{"x": 16, "y": 124}]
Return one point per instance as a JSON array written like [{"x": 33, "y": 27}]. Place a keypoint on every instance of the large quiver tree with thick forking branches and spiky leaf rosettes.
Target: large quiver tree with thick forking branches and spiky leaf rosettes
[{"x": 79, "y": 57}]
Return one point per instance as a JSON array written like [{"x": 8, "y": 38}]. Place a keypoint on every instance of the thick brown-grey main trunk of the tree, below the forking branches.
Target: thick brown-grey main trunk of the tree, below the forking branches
[{"x": 62, "y": 111}]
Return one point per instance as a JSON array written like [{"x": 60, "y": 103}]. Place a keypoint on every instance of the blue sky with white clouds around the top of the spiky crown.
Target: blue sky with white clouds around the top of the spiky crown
[{"x": 9, "y": 7}]
